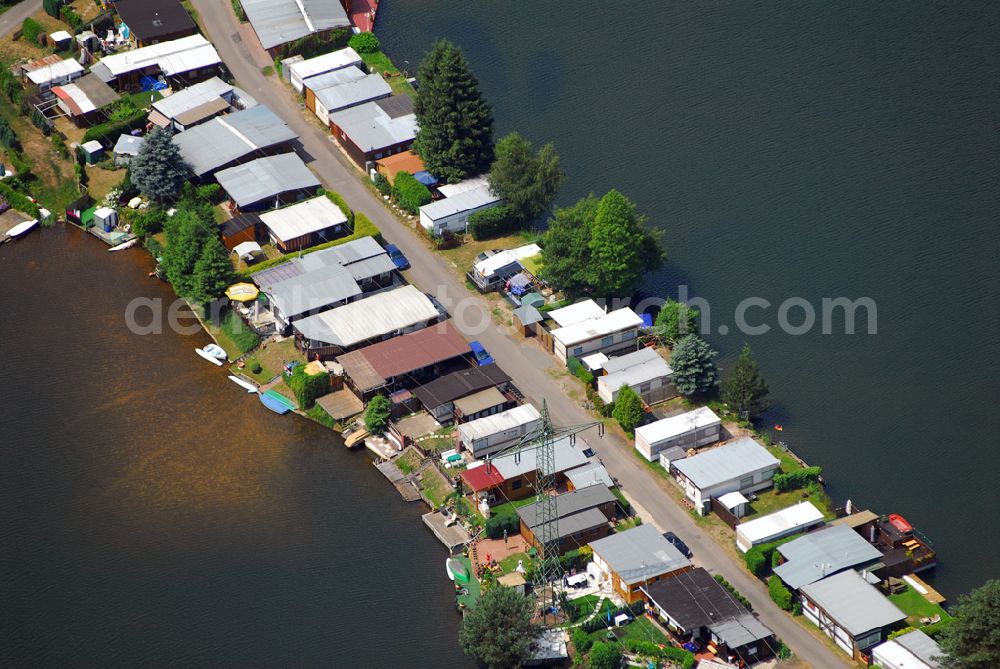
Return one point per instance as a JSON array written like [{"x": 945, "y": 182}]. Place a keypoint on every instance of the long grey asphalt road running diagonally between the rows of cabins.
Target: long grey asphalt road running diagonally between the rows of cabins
[{"x": 524, "y": 362}]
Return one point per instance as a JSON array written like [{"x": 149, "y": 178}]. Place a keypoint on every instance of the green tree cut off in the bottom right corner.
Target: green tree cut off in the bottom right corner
[{"x": 972, "y": 640}]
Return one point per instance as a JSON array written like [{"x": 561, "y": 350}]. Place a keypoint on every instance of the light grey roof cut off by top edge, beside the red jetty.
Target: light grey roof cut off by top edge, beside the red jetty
[{"x": 279, "y": 21}]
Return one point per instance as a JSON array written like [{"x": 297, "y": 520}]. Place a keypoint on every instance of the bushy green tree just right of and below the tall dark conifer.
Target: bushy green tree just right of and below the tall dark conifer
[{"x": 528, "y": 181}]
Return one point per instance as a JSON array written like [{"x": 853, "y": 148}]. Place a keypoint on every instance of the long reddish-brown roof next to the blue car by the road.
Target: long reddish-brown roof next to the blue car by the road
[{"x": 370, "y": 367}]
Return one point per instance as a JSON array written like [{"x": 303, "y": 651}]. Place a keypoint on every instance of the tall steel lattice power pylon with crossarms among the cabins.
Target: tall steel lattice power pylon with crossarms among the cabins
[{"x": 546, "y": 530}]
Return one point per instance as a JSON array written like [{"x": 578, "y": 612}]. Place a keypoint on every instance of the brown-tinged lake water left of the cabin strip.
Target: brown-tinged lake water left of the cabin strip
[{"x": 153, "y": 514}]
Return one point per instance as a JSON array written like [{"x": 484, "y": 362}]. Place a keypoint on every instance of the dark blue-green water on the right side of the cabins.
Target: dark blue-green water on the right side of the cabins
[{"x": 795, "y": 149}]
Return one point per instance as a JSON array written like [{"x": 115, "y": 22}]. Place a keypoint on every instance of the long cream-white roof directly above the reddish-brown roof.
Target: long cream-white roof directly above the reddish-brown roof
[{"x": 369, "y": 318}]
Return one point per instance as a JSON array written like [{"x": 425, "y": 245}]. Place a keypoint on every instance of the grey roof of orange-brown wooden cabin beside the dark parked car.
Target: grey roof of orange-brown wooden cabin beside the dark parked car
[{"x": 639, "y": 553}]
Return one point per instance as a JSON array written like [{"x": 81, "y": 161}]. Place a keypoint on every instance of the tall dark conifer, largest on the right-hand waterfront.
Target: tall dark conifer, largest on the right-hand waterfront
[{"x": 455, "y": 139}]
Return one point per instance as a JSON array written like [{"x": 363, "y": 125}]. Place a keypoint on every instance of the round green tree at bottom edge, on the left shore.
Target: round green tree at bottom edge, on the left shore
[{"x": 499, "y": 631}]
